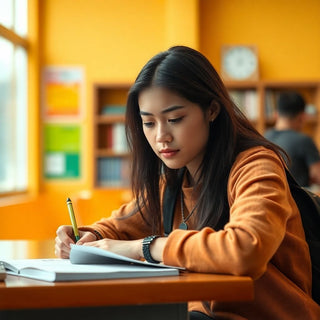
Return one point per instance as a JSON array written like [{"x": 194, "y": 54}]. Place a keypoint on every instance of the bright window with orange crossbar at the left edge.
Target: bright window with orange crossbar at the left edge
[{"x": 13, "y": 96}]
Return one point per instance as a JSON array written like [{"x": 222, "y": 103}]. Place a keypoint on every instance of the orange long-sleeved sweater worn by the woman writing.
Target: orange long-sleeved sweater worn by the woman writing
[{"x": 264, "y": 239}]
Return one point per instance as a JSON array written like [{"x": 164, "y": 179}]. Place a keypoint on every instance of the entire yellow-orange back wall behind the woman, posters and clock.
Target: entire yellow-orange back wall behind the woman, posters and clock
[{"x": 112, "y": 40}]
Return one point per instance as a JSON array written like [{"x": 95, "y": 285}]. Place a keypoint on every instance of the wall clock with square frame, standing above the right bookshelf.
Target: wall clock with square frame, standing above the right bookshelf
[{"x": 239, "y": 63}]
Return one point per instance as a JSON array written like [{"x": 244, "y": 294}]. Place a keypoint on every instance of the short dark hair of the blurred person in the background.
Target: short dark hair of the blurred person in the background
[{"x": 290, "y": 104}]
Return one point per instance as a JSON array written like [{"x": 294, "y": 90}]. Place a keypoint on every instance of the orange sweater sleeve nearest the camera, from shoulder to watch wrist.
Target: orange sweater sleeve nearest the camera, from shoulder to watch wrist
[{"x": 260, "y": 206}]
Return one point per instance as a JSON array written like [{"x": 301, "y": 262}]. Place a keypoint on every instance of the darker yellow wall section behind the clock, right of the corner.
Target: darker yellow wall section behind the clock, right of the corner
[{"x": 286, "y": 32}]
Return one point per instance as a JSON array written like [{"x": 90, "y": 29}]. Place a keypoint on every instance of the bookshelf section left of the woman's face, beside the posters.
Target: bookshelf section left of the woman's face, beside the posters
[{"x": 111, "y": 157}]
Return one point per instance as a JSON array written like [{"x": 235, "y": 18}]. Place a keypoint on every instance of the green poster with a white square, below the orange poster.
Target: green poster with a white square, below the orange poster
[{"x": 62, "y": 144}]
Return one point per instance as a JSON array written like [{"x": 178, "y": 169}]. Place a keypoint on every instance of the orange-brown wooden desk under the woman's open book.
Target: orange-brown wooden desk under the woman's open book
[{"x": 141, "y": 298}]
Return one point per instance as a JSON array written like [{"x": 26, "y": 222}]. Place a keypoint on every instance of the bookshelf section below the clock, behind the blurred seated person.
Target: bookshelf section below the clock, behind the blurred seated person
[{"x": 257, "y": 100}]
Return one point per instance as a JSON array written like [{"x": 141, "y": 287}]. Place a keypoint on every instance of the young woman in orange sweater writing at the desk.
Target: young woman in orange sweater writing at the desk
[{"x": 234, "y": 212}]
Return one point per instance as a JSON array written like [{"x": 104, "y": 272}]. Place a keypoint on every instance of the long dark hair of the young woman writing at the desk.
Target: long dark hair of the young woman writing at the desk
[{"x": 189, "y": 74}]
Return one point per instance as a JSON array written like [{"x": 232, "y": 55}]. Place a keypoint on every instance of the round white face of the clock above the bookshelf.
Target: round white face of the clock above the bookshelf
[{"x": 239, "y": 62}]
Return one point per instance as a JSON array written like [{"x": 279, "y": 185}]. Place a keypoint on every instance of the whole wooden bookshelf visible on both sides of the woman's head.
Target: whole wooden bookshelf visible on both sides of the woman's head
[{"x": 255, "y": 98}]
